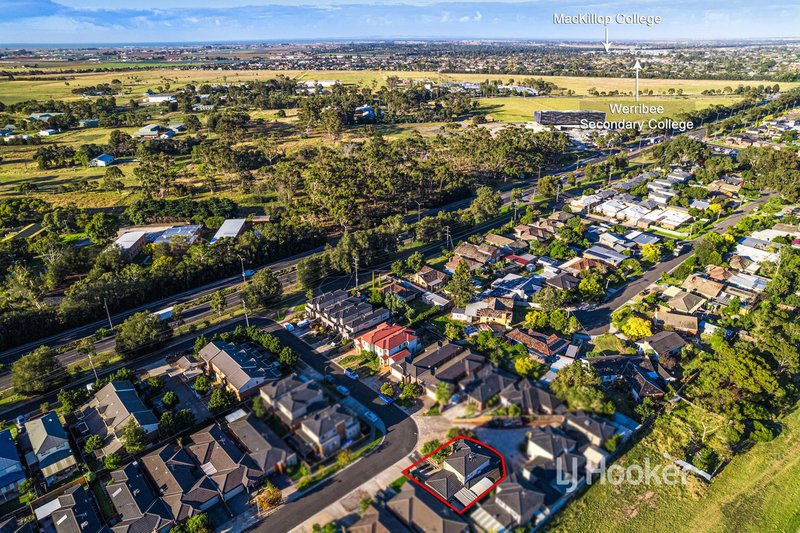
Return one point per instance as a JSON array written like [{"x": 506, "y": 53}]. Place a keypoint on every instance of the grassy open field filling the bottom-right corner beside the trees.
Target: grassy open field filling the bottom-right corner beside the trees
[{"x": 758, "y": 491}]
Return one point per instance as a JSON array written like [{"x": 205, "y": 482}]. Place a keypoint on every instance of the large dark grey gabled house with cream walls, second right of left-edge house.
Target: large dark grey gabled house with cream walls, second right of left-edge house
[{"x": 112, "y": 407}]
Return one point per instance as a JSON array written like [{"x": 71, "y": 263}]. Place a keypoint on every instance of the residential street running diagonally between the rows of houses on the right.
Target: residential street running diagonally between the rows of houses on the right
[{"x": 596, "y": 321}]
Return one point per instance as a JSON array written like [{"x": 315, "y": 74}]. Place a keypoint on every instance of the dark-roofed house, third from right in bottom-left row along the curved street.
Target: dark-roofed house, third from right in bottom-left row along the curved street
[{"x": 185, "y": 488}]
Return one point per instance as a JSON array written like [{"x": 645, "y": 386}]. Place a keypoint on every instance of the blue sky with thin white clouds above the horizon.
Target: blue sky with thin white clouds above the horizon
[{"x": 142, "y": 21}]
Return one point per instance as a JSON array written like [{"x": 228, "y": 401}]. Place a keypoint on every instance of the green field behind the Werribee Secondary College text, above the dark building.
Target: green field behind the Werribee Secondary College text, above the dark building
[{"x": 518, "y": 109}]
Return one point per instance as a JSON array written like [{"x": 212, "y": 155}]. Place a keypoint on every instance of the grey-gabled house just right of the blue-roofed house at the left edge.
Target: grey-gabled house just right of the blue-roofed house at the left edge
[{"x": 50, "y": 448}]
